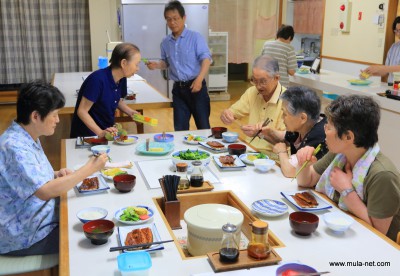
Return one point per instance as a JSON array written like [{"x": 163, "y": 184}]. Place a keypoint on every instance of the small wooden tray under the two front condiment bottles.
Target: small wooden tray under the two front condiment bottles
[{"x": 244, "y": 261}]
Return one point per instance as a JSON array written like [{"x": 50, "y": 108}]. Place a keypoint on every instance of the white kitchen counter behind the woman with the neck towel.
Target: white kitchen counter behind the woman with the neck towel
[{"x": 336, "y": 83}]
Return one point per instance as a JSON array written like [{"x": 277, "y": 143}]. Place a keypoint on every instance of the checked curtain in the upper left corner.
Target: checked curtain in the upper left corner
[{"x": 42, "y": 37}]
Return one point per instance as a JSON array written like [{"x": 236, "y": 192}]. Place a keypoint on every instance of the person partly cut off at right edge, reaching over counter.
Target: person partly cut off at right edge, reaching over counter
[{"x": 392, "y": 63}]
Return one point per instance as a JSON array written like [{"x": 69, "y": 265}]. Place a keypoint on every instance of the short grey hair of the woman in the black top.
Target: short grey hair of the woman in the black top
[{"x": 302, "y": 99}]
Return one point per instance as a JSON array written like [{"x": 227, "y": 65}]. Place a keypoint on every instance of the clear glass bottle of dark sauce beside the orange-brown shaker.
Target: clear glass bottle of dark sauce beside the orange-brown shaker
[{"x": 229, "y": 252}]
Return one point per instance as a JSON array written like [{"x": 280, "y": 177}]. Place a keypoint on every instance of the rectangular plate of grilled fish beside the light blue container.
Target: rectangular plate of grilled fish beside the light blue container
[{"x": 138, "y": 234}]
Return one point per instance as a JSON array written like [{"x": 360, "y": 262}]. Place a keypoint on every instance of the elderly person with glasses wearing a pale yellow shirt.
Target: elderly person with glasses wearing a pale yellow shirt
[{"x": 259, "y": 102}]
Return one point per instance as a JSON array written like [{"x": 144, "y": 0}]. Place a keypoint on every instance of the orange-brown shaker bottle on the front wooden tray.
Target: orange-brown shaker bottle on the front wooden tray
[{"x": 259, "y": 247}]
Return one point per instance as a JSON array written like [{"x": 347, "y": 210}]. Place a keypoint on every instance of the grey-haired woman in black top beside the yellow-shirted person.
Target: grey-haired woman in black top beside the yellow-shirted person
[{"x": 304, "y": 127}]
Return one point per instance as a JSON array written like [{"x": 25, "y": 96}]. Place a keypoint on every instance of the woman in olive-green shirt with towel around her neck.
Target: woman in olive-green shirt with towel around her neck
[{"x": 355, "y": 173}]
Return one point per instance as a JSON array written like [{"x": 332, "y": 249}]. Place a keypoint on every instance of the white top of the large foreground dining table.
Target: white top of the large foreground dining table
[{"x": 367, "y": 251}]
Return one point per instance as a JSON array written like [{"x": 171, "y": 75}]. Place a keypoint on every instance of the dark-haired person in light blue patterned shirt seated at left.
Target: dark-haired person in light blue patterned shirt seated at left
[{"x": 29, "y": 185}]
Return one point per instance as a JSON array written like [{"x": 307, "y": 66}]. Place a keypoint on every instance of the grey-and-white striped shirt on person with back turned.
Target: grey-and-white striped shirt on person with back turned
[{"x": 284, "y": 54}]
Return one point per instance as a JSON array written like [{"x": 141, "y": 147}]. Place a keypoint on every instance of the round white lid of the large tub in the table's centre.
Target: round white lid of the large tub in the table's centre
[{"x": 212, "y": 216}]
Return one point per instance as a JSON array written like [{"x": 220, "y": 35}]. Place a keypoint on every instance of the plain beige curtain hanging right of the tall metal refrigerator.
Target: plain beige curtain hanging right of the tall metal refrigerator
[{"x": 245, "y": 21}]
